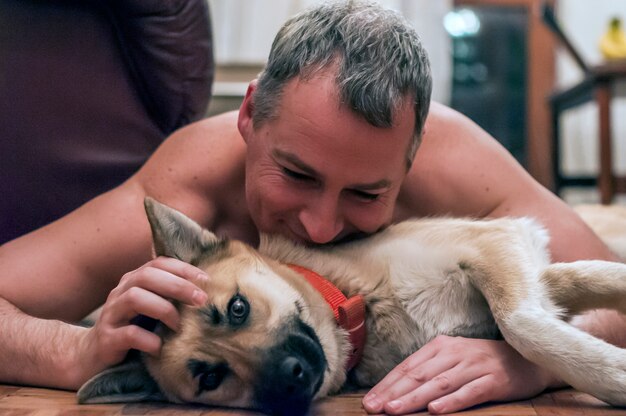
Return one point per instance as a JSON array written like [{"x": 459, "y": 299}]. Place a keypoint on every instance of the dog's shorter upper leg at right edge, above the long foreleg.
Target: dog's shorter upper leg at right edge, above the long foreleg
[{"x": 585, "y": 285}]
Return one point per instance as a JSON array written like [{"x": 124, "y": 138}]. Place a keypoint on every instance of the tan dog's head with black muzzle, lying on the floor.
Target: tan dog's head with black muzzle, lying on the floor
[{"x": 264, "y": 340}]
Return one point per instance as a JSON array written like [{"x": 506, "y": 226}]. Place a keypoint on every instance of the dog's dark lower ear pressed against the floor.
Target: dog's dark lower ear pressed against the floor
[{"x": 126, "y": 383}]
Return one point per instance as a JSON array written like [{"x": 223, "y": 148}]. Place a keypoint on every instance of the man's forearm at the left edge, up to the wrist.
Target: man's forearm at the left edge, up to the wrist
[{"x": 38, "y": 352}]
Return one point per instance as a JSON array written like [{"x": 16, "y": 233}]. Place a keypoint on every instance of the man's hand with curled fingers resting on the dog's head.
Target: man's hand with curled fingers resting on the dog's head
[{"x": 145, "y": 291}]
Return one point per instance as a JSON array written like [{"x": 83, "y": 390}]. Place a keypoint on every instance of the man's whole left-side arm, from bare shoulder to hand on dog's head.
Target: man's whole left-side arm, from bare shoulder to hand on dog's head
[{"x": 60, "y": 273}]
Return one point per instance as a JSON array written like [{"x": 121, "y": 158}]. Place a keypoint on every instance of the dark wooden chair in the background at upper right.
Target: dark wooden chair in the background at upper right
[{"x": 597, "y": 85}]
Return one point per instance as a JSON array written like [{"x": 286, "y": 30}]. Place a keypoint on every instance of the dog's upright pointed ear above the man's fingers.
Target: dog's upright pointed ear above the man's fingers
[{"x": 176, "y": 235}]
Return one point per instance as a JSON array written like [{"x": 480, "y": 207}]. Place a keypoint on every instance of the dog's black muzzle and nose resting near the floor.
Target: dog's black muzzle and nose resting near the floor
[{"x": 292, "y": 373}]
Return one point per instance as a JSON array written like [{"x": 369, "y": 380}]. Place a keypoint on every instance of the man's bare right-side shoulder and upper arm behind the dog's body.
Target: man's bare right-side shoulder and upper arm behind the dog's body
[{"x": 461, "y": 170}]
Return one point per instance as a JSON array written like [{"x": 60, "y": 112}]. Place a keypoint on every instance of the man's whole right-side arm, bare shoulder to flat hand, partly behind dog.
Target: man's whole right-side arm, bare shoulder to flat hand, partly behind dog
[{"x": 460, "y": 170}]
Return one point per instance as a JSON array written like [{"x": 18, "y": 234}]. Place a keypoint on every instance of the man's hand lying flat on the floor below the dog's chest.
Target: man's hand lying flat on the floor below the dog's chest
[{"x": 453, "y": 373}]
